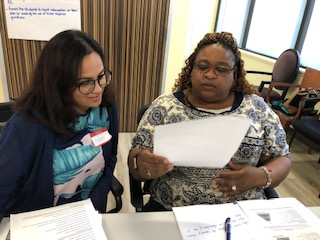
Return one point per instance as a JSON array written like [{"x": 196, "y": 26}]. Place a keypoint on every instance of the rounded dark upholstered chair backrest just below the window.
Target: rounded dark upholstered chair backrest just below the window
[{"x": 286, "y": 67}]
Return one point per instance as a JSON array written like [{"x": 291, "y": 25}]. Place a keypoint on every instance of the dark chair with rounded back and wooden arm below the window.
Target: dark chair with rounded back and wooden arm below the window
[{"x": 285, "y": 70}]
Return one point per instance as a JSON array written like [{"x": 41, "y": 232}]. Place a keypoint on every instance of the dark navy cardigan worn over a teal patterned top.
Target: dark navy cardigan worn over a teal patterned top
[{"x": 26, "y": 166}]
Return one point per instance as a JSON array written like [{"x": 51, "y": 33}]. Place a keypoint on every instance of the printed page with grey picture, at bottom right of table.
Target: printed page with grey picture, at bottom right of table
[{"x": 282, "y": 218}]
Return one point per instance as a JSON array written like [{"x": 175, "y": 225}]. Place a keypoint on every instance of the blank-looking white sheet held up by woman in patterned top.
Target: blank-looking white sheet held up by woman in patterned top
[{"x": 208, "y": 142}]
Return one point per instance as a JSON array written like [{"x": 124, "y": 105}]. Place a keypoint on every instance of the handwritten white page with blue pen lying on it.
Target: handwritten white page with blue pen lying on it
[{"x": 207, "y": 222}]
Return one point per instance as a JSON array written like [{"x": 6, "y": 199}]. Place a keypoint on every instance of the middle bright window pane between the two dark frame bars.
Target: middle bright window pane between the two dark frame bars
[{"x": 274, "y": 26}]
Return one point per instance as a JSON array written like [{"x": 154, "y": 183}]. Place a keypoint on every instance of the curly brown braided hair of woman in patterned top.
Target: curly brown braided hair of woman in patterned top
[{"x": 226, "y": 40}]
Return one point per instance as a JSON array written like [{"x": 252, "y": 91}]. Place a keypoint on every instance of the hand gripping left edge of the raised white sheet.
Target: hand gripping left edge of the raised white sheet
[{"x": 147, "y": 165}]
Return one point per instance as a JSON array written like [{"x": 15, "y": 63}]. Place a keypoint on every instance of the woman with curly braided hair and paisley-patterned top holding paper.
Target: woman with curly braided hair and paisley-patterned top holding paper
[{"x": 211, "y": 84}]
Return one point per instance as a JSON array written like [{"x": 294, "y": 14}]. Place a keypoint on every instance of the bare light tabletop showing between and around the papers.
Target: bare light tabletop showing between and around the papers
[{"x": 137, "y": 226}]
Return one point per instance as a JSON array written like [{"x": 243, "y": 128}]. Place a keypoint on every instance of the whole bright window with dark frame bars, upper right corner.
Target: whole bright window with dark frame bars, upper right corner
[{"x": 269, "y": 27}]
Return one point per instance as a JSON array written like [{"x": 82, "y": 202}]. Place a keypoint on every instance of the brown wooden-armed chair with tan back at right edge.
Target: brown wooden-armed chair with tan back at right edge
[{"x": 311, "y": 79}]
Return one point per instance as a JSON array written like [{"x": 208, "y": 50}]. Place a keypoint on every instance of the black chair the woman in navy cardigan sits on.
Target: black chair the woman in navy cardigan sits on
[{"x": 6, "y": 112}]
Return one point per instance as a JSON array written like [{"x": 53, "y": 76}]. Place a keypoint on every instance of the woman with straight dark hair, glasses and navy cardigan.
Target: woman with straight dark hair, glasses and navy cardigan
[{"x": 61, "y": 144}]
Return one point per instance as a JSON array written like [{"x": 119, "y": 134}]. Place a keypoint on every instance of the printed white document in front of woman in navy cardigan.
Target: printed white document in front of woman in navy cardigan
[{"x": 78, "y": 220}]
